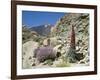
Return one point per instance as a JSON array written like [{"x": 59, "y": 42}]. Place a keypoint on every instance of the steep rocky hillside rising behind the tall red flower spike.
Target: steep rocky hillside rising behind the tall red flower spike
[{"x": 81, "y": 26}]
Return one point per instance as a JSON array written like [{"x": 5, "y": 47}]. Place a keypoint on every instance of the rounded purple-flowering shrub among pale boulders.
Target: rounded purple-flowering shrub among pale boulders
[{"x": 45, "y": 53}]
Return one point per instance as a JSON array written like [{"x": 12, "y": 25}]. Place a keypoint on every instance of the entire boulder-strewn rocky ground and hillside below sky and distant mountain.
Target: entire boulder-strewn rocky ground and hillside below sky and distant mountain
[{"x": 58, "y": 44}]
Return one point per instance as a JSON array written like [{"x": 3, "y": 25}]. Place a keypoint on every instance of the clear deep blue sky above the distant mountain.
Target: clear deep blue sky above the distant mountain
[{"x": 36, "y": 18}]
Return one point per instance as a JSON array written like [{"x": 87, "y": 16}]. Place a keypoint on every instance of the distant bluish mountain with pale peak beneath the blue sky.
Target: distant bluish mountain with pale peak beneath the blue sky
[{"x": 42, "y": 30}]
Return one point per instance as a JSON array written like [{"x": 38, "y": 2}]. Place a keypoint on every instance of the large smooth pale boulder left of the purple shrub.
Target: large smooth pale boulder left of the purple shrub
[{"x": 28, "y": 53}]
